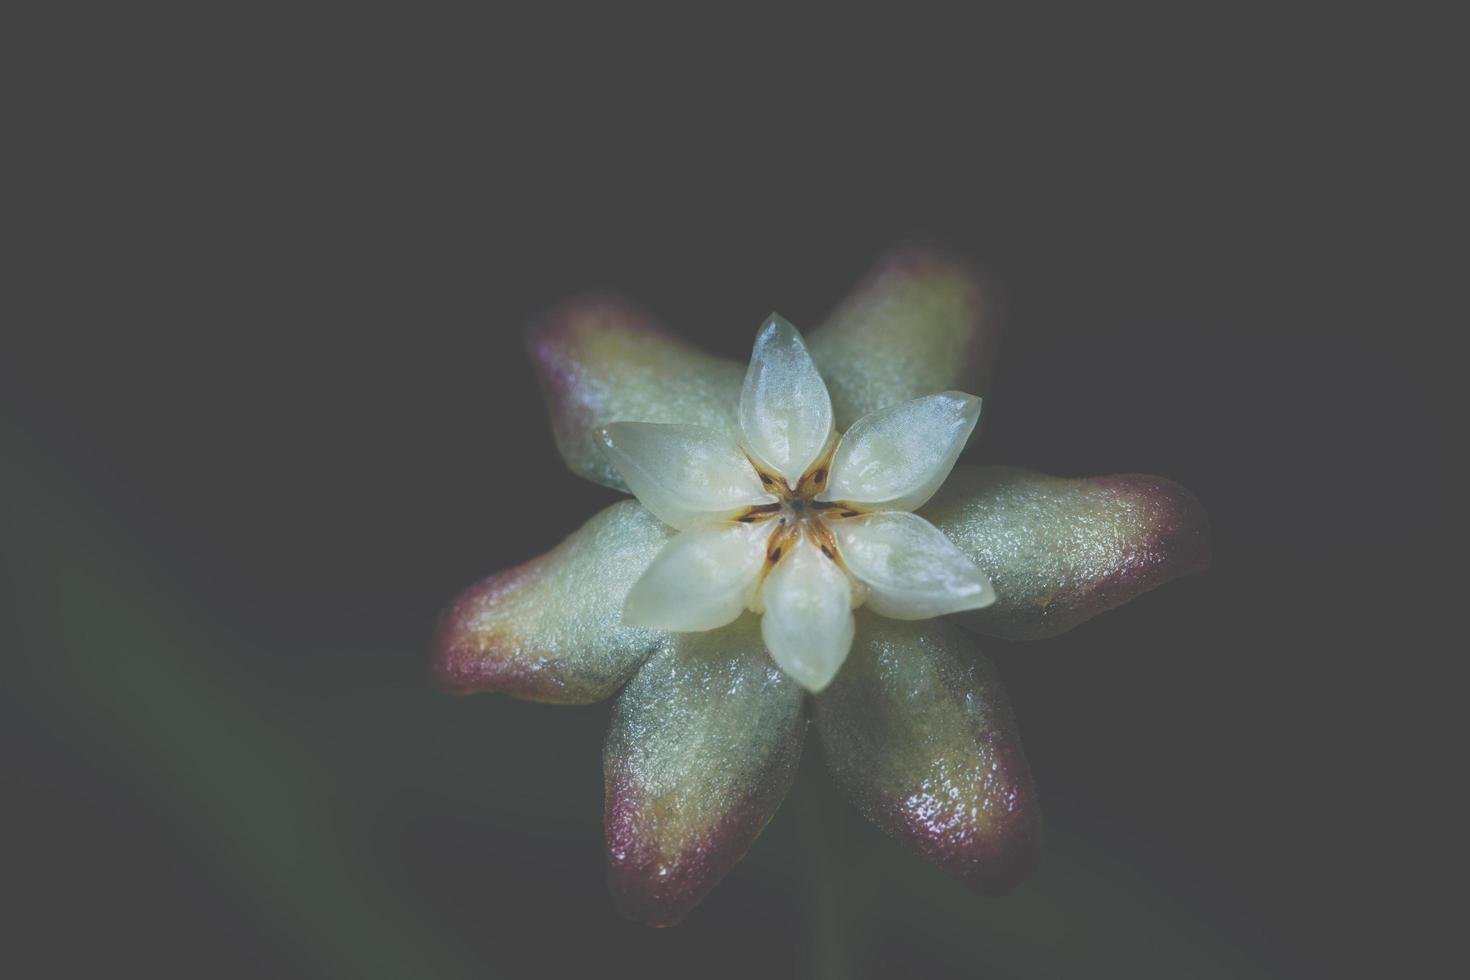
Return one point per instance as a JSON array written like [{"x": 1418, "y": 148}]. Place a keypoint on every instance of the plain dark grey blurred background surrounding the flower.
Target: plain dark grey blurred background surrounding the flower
[{"x": 267, "y": 409}]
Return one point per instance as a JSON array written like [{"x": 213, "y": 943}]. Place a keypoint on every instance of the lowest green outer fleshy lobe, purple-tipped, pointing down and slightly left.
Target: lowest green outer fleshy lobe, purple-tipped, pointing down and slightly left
[{"x": 703, "y": 747}]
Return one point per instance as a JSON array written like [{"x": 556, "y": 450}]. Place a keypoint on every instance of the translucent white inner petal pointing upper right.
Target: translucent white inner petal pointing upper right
[{"x": 899, "y": 458}]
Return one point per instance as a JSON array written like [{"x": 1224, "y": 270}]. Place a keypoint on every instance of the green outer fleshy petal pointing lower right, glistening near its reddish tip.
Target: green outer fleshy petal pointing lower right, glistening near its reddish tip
[{"x": 921, "y": 738}]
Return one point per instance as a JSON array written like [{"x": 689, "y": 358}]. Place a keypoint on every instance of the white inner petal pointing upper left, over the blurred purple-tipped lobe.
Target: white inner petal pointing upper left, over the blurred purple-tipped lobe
[{"x": 686, "y": 475}]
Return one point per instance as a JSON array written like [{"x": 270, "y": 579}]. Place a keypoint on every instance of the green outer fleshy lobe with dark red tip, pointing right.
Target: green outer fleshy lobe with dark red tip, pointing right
[{"x": 1059, "y": 552}]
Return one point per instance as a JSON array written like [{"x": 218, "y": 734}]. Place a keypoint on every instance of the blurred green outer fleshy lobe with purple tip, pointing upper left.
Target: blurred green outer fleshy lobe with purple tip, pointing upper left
[{"x": 602, "y": 361}]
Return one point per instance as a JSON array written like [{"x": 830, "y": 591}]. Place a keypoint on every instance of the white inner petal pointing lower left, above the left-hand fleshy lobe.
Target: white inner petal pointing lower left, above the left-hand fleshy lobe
[{"x": 700, "y": 581}]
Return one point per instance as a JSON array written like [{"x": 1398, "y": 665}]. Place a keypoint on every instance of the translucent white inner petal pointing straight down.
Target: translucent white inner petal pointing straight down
[{"x": 809, "y": 616}]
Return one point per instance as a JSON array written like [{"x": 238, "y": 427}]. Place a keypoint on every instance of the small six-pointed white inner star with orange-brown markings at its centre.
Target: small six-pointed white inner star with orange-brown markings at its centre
[{"x": 793, "y": 522}]
